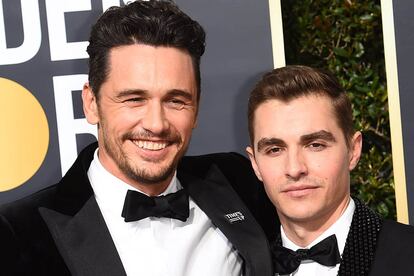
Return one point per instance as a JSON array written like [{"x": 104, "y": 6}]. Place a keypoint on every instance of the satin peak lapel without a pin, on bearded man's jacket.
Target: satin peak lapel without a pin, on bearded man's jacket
[{"x": 84, "y": 241}]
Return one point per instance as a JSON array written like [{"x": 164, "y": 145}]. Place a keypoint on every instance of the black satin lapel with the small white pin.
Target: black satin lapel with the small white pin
[{"x": 215, "y": 196}]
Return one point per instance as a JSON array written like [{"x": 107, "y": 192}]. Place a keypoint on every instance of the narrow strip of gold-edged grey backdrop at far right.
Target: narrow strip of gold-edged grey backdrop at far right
[{"x": 398, "y": 24}]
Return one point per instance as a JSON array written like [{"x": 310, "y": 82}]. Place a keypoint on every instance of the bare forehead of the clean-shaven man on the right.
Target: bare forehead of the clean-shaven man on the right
[{"x": 290, "y": 120}]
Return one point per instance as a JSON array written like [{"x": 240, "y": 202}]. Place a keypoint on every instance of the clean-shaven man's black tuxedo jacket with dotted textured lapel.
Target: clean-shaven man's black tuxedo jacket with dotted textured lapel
[{"x": 377, "y": 247}]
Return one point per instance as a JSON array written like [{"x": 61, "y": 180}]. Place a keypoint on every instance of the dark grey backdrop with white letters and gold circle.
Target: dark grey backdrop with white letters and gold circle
[{"x": 43, "y": 65}]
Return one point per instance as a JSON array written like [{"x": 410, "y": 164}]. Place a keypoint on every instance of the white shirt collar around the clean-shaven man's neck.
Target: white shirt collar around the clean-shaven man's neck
[{"x": 340, "y": 228}]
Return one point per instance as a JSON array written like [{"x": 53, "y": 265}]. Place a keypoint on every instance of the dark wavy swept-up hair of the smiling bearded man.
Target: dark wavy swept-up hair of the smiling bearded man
[{"x": 155, "y": 23}]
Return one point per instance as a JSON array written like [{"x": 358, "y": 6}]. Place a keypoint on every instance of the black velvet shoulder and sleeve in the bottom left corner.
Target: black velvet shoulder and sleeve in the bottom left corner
[{"x": 26, "y": 247}]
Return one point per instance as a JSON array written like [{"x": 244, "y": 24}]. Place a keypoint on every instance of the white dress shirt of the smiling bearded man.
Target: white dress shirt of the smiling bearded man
[{"x": 162, "y": 246}]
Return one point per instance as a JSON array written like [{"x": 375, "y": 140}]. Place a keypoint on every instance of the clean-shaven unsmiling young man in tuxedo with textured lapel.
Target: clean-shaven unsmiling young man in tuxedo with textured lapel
[{"x": 303, "y": 147}]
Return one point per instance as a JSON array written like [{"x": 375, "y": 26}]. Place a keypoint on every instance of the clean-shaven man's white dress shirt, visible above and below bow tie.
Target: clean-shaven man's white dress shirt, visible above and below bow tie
[{"x": 340, "y": 228}]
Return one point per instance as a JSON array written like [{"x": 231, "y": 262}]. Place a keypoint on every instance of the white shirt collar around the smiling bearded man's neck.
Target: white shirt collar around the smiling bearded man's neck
[{"x": 110, "y": 191}]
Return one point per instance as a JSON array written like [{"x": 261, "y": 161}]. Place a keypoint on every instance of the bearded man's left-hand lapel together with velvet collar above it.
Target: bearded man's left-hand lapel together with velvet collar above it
[{"x": 77, "y": 225}]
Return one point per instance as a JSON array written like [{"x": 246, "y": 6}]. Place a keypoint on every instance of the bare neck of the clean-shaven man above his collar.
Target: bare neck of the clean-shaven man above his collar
[{"x": 304, "y": 232}]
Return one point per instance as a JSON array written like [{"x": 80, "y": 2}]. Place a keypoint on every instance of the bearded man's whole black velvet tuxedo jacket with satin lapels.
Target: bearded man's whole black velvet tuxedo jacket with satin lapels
[{"x": 60, "y": 230}]
